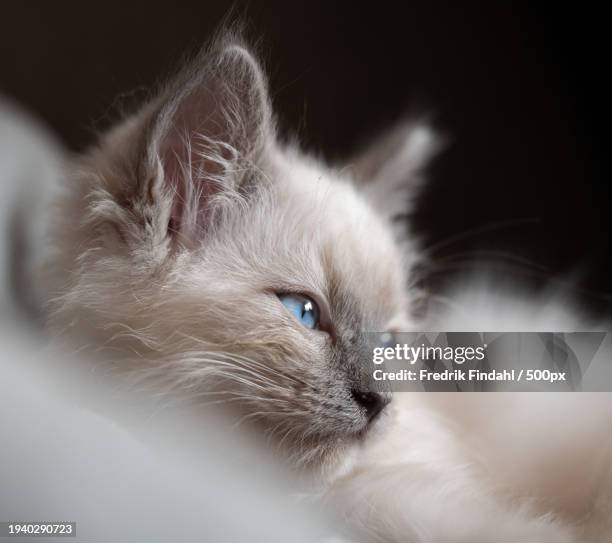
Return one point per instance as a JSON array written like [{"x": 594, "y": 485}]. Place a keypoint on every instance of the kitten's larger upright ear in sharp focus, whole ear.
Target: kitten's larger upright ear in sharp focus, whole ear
[{"x": 204, "y": 138}]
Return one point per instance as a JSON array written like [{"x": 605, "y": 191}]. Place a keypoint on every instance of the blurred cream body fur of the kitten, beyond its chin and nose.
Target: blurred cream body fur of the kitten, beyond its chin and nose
[{"x": 499, "y": 467}]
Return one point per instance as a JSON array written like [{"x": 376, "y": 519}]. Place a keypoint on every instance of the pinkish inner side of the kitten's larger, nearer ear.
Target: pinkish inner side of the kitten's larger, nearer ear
[{"x": 210, "y": 120}]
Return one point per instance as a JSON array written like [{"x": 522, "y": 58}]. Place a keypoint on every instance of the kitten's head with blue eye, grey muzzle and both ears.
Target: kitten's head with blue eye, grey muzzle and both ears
[{"x": 202, "y": 253}]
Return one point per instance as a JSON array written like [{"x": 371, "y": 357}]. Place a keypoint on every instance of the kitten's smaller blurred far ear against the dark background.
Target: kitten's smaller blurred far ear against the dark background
[{"x": 389, "y": 172}]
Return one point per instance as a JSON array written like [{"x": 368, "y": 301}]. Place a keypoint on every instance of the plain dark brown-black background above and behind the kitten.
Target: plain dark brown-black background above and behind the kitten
[{"x": 518, "y": 91}]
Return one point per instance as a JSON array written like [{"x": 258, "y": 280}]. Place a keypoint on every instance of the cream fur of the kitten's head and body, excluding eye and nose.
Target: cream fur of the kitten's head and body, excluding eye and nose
[{"x": 173, "y": 236}]
